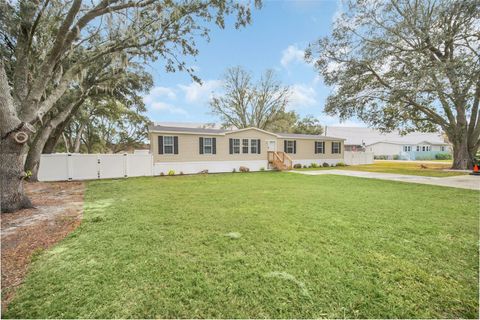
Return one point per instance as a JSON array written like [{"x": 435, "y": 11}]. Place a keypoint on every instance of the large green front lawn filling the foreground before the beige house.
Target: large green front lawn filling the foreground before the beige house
[{"x": 261, "y": 245}]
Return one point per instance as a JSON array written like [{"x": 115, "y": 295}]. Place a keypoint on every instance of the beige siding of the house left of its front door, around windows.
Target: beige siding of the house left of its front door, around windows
[{"x": 188, "y": 147}]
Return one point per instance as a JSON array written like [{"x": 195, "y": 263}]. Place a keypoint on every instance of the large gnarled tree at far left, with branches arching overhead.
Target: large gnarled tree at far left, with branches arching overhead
[{"x": 46, "y": 45}]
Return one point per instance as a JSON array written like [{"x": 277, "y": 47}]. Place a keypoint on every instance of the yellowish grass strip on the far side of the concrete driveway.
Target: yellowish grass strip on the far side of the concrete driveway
[{"x": 401, "y": 167}]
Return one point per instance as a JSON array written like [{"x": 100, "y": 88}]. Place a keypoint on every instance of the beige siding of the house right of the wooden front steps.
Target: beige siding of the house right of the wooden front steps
[{"x": 306, "y": 149}]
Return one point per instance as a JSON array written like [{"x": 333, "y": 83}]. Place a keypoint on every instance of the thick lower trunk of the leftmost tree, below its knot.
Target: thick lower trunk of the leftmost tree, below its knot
[{"x": 12, "y": 156}]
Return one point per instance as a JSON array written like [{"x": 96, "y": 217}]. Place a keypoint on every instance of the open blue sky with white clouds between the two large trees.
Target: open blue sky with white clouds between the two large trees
[{"x": 280, "y": 32}]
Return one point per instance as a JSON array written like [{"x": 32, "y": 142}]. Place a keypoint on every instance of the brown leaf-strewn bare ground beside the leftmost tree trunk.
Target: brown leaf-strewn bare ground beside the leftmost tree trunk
[{"x": 57, "y": 212}]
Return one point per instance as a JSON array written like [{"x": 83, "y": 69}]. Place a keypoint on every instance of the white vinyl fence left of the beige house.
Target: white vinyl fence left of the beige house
[{"x": 72, "y": 166}]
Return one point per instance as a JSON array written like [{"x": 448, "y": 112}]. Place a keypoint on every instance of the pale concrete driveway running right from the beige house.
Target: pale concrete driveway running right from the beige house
[{"x": 463, "y": 182}]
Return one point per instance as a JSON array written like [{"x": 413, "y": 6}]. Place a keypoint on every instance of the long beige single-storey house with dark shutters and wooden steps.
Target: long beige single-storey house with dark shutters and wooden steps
[{"x": 191, "y": 150}]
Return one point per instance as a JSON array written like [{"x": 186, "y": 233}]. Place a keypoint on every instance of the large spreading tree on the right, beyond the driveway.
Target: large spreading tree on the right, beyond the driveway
[{"x": 408, "y": 65}]
